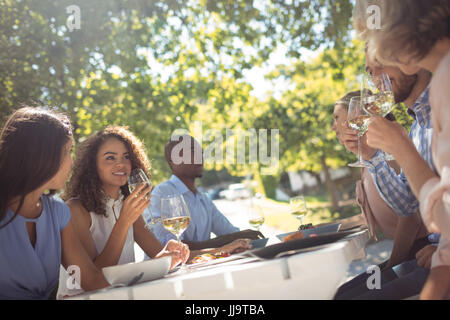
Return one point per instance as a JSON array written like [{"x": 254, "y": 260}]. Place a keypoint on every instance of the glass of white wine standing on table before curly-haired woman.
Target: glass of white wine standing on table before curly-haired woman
[{"x": 175, "y": 215}]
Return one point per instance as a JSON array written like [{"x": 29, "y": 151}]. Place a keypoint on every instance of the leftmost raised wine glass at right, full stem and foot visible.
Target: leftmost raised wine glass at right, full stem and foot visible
[{"x": 358, "y": 119}]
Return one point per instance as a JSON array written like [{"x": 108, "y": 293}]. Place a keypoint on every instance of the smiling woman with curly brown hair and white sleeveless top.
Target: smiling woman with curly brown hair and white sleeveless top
[{"x": 107, "y": 218}]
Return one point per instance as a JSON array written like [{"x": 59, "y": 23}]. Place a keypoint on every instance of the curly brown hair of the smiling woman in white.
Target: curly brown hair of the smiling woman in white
[{"x": 85, "y": 183}]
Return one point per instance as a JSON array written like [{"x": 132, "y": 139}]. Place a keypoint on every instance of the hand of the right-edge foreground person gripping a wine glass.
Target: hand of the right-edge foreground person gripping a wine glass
[{"x": 388, "y": 136}]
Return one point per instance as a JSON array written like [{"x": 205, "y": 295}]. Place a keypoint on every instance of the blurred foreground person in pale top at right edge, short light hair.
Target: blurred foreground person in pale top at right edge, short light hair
[{"x": 416, "y": 34}]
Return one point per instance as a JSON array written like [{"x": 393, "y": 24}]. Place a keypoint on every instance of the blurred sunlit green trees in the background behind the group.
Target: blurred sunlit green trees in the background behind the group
[{"x": 159, "y": 66}]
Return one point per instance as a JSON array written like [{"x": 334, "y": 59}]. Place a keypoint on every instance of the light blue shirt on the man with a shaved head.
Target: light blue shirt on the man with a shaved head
[{"x": 205, "y": 217}]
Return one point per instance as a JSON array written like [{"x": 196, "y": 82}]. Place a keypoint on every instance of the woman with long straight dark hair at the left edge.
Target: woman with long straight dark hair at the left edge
[{"x": 36, "y": 234}]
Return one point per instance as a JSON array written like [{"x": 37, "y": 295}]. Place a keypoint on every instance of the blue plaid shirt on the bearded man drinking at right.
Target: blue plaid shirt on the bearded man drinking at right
[{"x": 393, "y": 188}]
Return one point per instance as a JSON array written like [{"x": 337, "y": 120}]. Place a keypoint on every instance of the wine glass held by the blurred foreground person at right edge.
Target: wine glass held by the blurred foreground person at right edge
[{"x": 378, "y": 98}]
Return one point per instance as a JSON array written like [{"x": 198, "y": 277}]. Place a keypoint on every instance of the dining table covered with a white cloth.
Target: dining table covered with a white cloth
[{"x": 276, "y": 272}]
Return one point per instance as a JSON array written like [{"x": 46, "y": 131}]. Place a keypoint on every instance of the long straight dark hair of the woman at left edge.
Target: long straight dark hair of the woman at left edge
[{"x": 31, "y": 148}]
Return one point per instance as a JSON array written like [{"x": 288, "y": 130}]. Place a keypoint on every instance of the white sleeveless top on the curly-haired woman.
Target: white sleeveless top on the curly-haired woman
[{"x": 101, "y": 228}]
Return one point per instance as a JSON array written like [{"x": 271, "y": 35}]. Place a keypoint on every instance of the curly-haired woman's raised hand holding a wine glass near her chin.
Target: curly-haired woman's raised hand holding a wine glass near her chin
[{"x": 135, "y": 204}]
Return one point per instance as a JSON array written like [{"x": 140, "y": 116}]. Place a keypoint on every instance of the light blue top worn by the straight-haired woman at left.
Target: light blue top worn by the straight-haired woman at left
[{"x": 27, "y": 272}]
